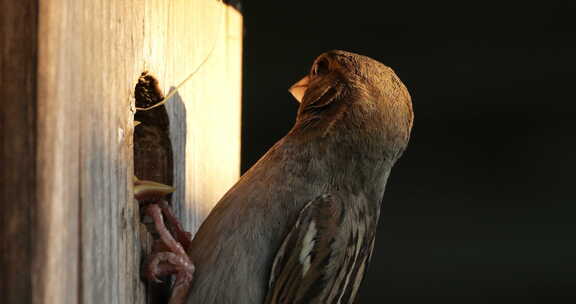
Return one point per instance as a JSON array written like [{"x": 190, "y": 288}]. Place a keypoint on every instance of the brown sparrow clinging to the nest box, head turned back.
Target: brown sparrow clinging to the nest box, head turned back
[{"x": 300, "y": 225}]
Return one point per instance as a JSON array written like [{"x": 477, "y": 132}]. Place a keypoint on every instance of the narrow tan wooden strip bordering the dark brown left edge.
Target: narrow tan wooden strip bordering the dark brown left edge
[{"x": 58, "y": 253}]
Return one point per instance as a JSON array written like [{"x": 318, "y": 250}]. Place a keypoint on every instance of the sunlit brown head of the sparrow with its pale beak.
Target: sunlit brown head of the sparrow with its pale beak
[{"x": 356, "y": 95}]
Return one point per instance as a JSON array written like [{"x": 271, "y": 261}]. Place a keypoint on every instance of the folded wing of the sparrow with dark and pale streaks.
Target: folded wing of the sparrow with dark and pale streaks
[{"x": 323, "y": 257}]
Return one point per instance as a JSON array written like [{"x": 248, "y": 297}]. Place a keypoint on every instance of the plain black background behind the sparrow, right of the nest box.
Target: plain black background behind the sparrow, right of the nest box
[{"x": 482, "y": 202}]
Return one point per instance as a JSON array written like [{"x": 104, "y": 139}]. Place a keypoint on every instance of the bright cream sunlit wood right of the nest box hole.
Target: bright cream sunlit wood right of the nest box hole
[{"x": 209, "y": 103}]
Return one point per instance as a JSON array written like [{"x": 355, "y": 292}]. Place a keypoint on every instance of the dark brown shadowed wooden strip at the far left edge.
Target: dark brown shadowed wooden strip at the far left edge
[{"x": 18, "y": 31}]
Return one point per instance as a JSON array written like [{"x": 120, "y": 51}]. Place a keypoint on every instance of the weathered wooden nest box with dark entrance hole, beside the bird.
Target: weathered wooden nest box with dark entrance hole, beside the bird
[{"x": 69, "y": 227}]
